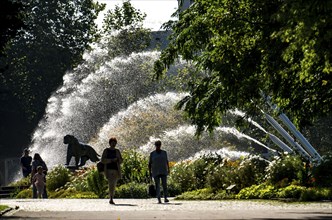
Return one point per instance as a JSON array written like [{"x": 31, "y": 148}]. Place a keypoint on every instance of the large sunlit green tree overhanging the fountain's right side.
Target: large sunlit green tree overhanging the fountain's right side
[{"x": 282, "y": 48}]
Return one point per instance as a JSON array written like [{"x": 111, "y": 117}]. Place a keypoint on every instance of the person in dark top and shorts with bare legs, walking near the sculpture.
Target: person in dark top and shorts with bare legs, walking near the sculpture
[{"x": 112, "y": 159}]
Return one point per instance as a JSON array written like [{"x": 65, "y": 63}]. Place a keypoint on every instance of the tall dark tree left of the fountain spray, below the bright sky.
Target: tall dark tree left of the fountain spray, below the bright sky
[{"x": 53, "y": 41}]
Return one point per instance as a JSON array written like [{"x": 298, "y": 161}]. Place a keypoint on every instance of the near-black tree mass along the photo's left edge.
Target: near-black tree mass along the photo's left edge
[{"x": 11, "y": 15}]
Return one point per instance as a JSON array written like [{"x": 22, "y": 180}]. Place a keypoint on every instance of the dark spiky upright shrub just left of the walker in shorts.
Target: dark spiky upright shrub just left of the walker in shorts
[{"x": 97, "y": 183}]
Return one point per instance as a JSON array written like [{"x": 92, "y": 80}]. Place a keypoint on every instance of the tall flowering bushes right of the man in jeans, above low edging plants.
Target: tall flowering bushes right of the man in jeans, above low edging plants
[{"x": 217, "y": 173}]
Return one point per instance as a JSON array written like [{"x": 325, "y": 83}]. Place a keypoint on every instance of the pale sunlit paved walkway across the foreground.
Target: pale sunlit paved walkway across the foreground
[{"x": 149, "y": 209}]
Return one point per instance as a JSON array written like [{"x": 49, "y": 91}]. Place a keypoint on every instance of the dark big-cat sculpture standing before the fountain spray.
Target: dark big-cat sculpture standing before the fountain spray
[{"x": 81, "y": 152}]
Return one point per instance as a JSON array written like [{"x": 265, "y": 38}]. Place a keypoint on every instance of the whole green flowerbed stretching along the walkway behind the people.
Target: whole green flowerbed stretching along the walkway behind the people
[{"x": 186, "y": 176}]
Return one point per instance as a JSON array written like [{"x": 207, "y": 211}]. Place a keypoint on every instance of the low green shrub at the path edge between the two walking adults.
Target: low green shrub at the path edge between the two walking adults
[{"x": 132, "y": 190}]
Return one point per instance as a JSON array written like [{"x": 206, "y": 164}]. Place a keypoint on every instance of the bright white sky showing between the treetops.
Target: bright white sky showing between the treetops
[{"x": 158, "y": 11}]
